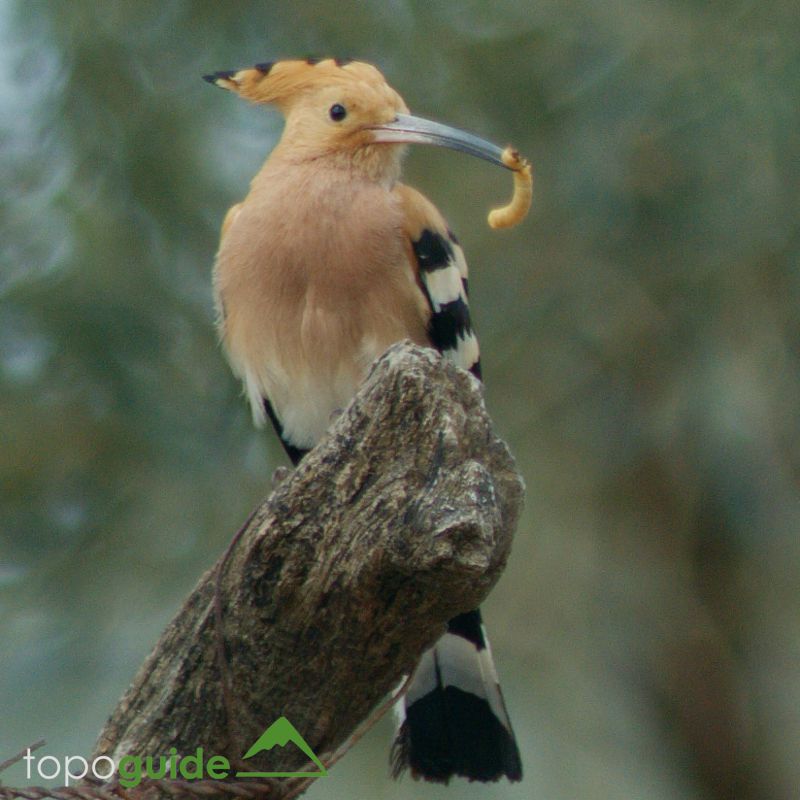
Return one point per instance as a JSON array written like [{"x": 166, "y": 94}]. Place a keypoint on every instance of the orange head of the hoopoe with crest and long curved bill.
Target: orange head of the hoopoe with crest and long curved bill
[{"x": 346, "y": 112}]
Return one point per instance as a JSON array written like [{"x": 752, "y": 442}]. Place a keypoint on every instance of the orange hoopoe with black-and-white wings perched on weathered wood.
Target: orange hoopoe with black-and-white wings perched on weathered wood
[{"x": 328, "y": 261}]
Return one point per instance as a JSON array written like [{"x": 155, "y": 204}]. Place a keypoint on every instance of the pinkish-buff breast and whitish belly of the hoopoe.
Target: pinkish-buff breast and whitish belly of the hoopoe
[{"x": 314, "y": 282}]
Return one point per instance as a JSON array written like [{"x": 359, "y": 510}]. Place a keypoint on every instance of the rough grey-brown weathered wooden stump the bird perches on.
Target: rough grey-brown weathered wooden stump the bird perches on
[{"x": 402, "y": 517}]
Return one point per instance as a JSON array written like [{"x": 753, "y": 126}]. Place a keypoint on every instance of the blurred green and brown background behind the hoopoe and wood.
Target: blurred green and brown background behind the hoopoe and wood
[{"x": 639, "y": 331}]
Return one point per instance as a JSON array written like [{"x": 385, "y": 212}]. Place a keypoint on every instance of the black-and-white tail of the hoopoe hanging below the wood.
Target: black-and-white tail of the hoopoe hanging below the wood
[{"x": 453, "y": 720}]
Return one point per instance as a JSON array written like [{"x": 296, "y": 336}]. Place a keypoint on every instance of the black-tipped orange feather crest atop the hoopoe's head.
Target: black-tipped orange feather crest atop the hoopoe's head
[{"x": 280, "y": 82}]
